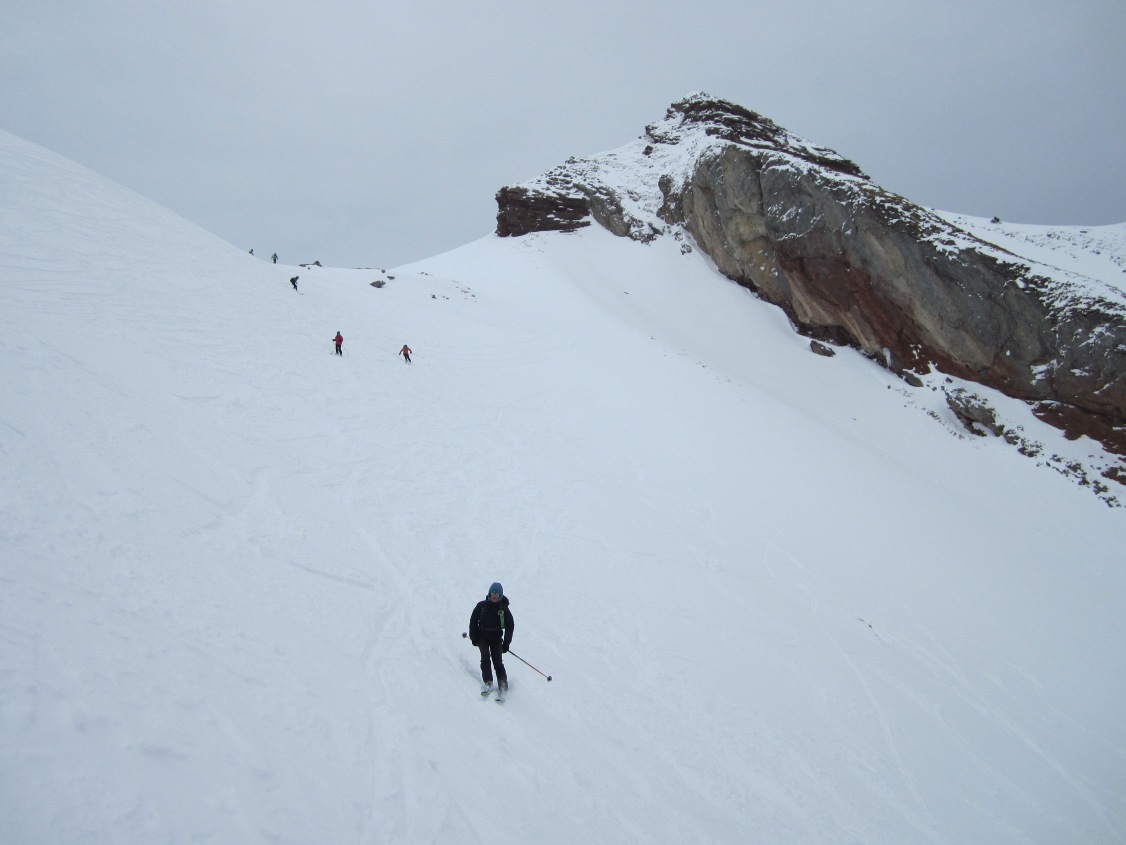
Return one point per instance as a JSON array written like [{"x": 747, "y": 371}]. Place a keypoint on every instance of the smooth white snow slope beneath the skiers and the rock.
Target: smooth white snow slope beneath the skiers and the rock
[{"x": 781, "y": 598}]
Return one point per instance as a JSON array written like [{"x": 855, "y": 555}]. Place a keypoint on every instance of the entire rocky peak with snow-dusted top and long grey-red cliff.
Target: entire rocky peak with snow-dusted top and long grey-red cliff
[{"x": 850, "y": 262}]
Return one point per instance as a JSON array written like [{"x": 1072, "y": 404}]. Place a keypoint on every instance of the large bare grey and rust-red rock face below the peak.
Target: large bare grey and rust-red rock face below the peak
[{"x": 855, "y": 265}]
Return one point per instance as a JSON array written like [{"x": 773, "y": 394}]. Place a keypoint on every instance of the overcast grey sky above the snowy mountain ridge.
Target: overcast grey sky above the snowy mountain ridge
[{"x": 368, "y": 134}]
